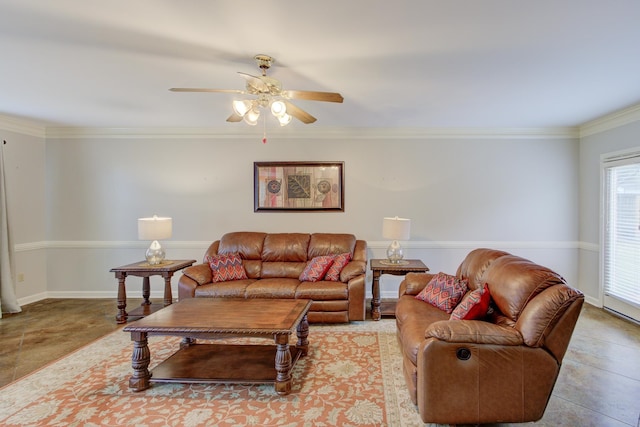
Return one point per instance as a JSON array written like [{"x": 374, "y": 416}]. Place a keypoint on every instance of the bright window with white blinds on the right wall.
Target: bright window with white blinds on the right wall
[{"x": 622, "y": 229}]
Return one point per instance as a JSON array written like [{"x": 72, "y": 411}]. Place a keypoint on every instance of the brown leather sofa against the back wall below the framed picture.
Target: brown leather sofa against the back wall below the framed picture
[{"x": 273, "y": 263}]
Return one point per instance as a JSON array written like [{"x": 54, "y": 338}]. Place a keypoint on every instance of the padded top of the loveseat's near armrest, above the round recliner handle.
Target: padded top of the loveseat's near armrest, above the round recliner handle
[{"x": 473, "y": 331}]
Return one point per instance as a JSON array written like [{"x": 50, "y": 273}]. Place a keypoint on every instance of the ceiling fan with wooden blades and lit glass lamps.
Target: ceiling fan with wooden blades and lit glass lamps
[{"x": 268, "y": 92}]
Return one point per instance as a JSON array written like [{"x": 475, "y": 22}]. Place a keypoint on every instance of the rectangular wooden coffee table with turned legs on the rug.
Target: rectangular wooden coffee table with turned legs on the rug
[{"x": 211, "y": 318}]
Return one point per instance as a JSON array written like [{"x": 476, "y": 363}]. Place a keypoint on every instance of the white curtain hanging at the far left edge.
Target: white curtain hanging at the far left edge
[{"x": 8, "y": 299}]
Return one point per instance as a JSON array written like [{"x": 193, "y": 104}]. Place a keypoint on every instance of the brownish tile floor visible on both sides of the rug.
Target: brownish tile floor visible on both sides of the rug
[{"x": 599, "y": 384}]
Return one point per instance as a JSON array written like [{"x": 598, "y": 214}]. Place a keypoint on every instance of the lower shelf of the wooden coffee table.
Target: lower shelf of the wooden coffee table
[{"x": 217, "y": 363}]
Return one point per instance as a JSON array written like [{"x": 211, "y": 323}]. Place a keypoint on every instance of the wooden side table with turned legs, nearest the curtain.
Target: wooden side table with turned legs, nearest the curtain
[{"x": 145, "y": 270}]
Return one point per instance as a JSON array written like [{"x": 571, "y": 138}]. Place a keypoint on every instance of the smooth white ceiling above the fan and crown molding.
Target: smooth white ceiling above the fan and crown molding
[{"x": 398, "y": 64}]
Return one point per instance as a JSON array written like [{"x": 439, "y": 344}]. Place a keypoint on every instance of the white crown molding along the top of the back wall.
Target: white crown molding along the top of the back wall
[{"x": 311, "y": 133}]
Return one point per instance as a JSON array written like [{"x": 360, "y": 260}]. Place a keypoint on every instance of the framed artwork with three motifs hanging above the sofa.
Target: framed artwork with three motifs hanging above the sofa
[{"x": 298, "y": 186}]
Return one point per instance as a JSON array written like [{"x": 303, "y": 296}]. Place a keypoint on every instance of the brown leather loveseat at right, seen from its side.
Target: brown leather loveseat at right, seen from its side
[{"x": 499, "y": 369}]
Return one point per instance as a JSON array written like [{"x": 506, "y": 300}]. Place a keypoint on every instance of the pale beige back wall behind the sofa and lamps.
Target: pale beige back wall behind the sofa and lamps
[{"x": 518, "y": 193}]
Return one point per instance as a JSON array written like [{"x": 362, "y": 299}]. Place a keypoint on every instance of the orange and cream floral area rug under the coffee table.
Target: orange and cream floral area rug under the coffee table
[{"x": 352, "y": 376}]
